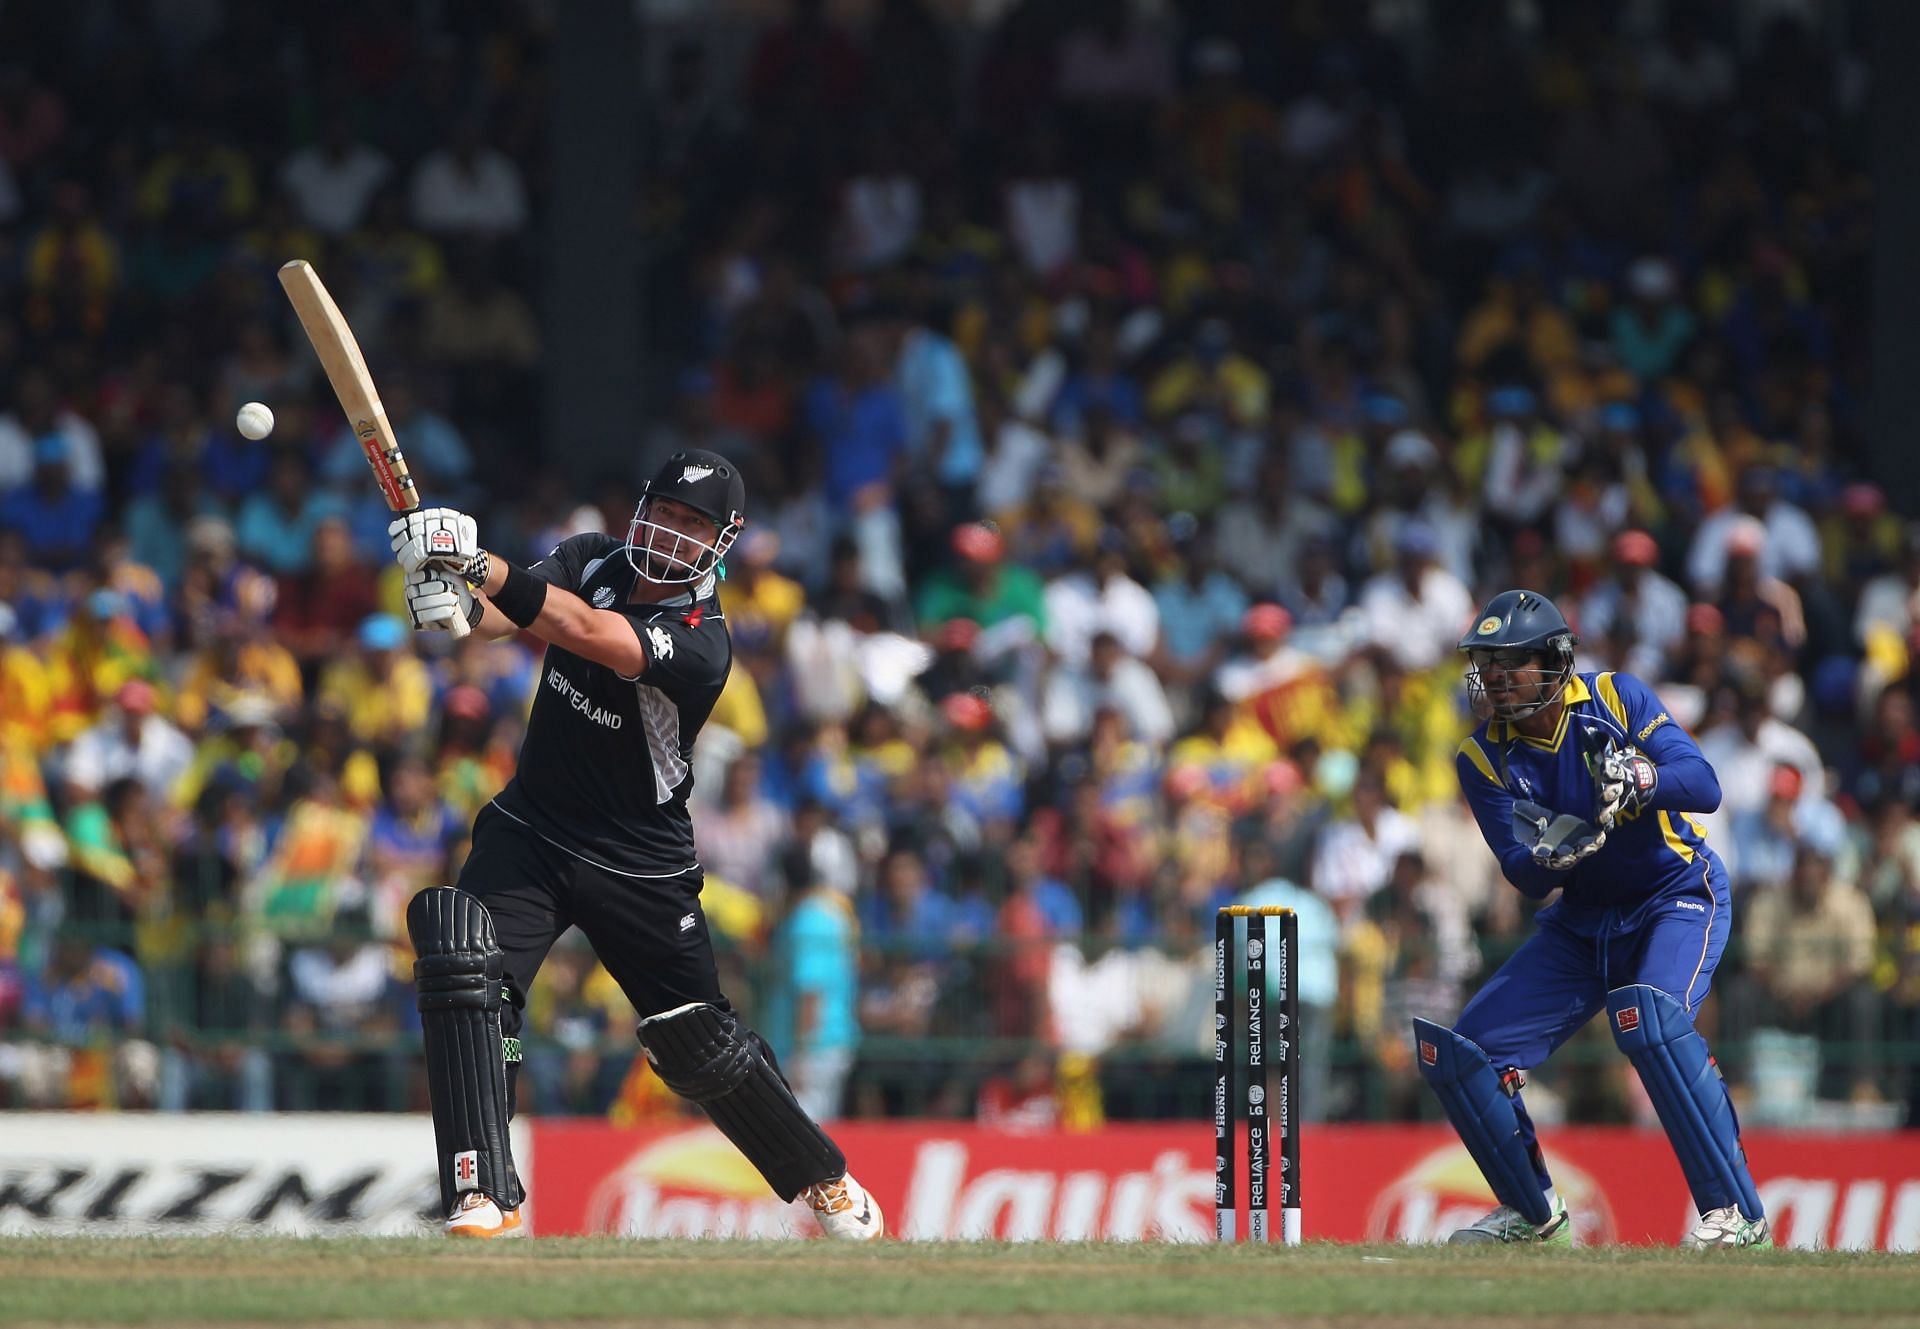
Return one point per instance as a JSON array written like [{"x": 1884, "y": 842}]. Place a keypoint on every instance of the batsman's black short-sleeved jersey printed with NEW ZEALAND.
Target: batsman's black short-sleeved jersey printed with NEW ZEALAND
[{"x": 606, "y": 767}]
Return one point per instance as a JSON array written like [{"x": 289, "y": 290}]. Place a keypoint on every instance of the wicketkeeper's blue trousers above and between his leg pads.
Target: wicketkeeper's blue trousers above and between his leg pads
[{"x": 1560, "y": 979}]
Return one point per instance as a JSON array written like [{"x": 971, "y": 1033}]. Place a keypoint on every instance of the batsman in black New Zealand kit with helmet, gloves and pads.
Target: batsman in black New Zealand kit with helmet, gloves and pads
[{"x": 594, "y": 831}]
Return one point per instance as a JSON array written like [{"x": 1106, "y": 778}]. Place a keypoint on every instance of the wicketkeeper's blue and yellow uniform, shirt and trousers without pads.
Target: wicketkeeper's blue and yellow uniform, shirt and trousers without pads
[{"x": 1650, "y": 907}]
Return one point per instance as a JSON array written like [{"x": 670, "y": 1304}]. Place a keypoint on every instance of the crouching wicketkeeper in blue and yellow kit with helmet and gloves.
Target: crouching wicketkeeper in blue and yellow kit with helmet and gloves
[{"x": 1585, "y": 783}]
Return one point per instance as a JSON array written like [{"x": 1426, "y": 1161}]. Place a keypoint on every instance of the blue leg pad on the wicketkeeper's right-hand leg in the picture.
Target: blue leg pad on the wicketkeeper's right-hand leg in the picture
[{"x": 1687, "y": 1090}]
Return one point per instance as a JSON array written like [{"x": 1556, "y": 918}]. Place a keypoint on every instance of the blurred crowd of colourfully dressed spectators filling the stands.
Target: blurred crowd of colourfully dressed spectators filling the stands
[{"x": 1136, "y": 406}]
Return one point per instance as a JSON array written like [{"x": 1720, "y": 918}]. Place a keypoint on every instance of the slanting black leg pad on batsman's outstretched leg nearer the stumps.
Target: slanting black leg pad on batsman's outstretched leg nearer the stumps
[{"x": 706, "y": 1055}]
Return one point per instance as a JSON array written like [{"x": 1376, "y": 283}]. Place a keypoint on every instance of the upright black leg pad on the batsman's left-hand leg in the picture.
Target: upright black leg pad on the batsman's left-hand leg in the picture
[{"x": 460, "y": 984}]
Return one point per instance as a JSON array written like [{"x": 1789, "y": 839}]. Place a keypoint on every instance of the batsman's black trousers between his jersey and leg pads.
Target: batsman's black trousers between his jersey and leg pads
[{"x": 650, "y": 932}]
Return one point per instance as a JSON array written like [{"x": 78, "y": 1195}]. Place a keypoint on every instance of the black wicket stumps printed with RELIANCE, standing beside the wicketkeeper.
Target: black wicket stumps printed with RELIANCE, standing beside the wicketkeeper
[{"x": 1226, "y": 1063}]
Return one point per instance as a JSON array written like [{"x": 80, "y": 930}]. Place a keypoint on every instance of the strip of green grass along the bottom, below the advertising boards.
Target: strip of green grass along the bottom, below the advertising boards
[{"x": 683, "y": 1284}]
